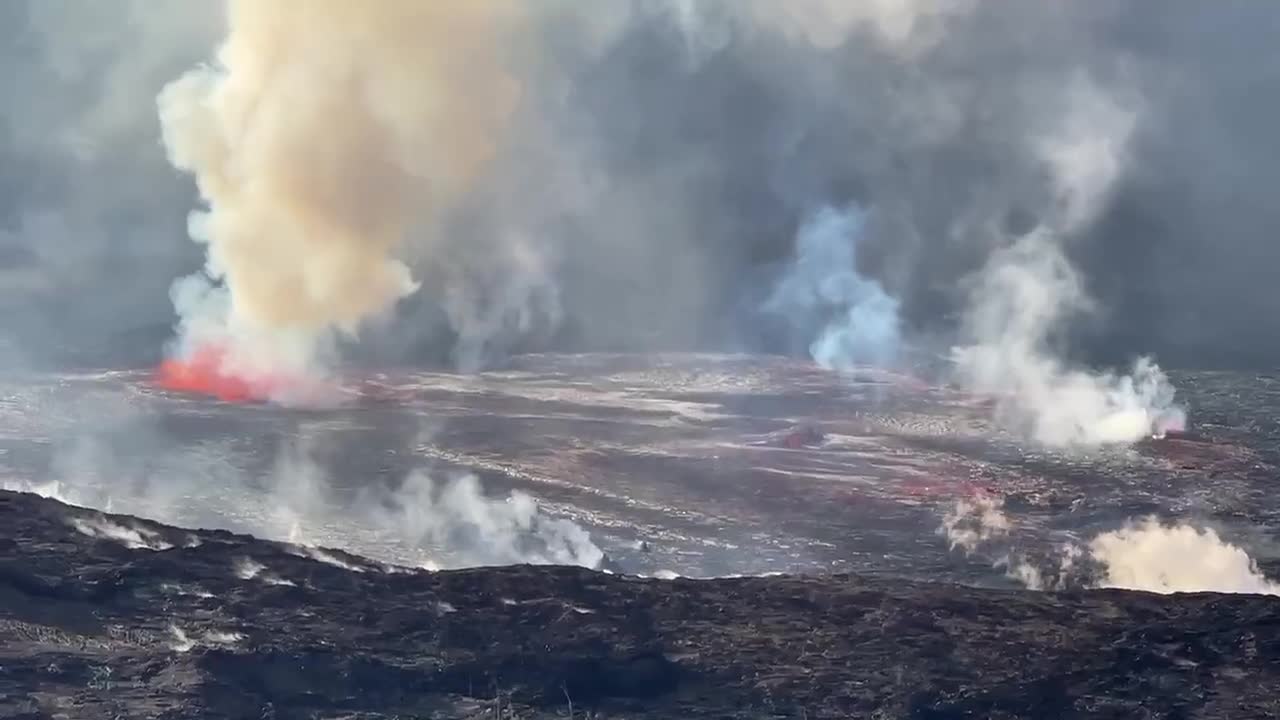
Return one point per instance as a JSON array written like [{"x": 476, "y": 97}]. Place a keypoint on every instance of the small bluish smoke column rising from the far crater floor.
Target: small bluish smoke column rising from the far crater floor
[{"x": 857, "y": 320}]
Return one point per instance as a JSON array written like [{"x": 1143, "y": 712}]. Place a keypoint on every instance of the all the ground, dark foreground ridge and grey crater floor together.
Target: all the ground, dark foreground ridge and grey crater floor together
[{"x": 753, "y": 537}]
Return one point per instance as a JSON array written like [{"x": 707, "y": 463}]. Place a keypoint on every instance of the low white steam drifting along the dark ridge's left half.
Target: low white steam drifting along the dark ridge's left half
[{"x": 423, "y": 522}]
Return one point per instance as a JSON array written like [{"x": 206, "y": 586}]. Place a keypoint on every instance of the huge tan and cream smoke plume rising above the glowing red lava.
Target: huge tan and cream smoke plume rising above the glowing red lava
[{"x": 326, "y": 133}]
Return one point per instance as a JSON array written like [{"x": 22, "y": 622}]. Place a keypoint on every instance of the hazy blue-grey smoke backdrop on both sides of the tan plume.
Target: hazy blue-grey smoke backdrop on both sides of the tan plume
[{"x": 650, "y": 185}]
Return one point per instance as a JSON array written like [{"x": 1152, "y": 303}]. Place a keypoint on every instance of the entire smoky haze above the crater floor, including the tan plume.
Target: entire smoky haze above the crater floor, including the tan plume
[{"x": 607, "y": 147}]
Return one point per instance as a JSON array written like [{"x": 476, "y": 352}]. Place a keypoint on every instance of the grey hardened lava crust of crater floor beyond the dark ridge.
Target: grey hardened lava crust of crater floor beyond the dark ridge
[{"x": 700, "y": 466}]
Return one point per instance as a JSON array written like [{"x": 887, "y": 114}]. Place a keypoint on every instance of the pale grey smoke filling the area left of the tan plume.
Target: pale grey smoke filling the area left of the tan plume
[{"x": 88, "y": 208}]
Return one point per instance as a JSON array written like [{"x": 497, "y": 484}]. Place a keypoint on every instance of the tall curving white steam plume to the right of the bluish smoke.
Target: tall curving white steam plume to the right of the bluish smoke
[{"x": 1027, "y": 293}]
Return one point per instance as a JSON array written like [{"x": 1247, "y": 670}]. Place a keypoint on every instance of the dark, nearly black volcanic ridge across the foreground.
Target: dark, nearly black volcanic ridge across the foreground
[{"x": 113, "y": 617}]
